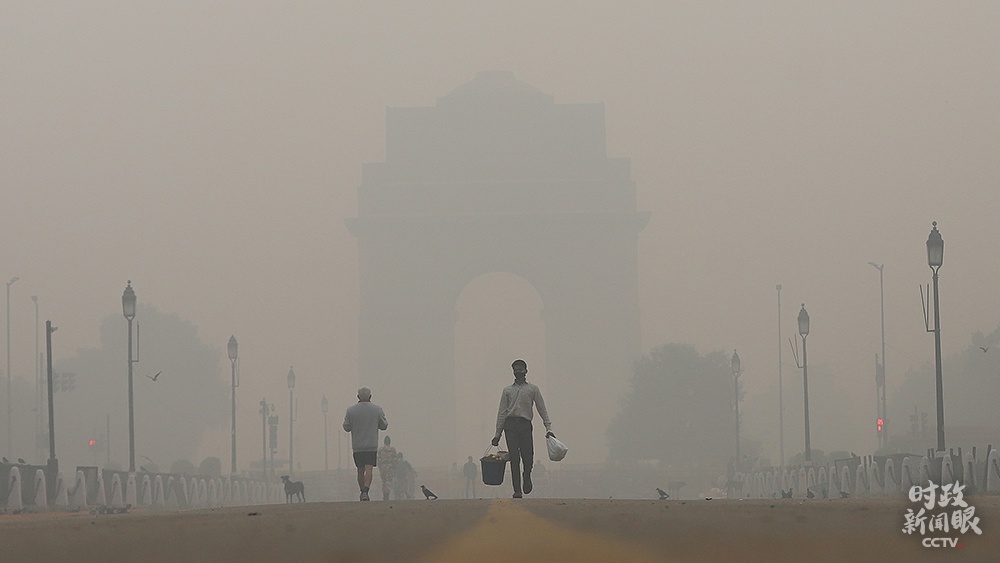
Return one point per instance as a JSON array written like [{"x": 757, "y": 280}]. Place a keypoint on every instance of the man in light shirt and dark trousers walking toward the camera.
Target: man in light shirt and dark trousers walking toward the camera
[{"x": 517, "y": 404}]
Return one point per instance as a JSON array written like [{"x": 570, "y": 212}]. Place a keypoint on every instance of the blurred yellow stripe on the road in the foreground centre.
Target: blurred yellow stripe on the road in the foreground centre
[{"x": 509, "y": 532}]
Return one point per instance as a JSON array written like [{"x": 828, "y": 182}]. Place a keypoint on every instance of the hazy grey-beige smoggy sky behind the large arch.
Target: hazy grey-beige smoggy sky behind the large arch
[{"x": 211, "y": 151}]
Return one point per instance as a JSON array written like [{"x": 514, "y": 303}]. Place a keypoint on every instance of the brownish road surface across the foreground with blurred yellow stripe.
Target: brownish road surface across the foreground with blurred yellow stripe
[{"x": 486, "y": 530}]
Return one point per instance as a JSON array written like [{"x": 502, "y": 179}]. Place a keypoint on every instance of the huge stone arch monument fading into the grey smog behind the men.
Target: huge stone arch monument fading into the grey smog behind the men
[{"x": 496, "y": 177}]
